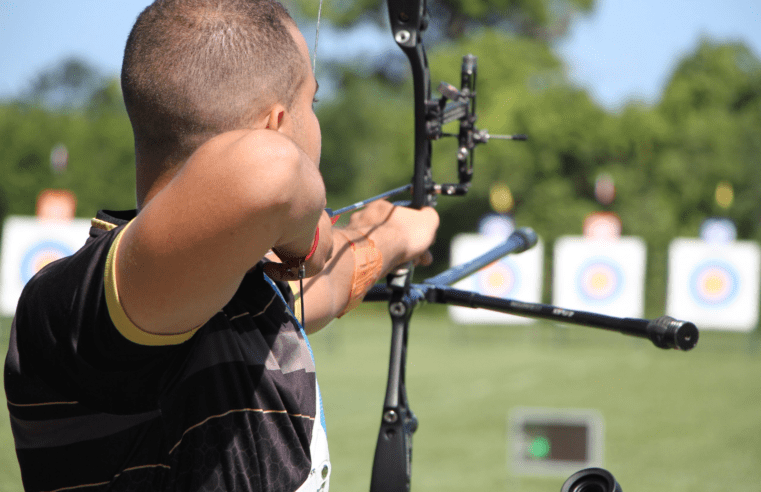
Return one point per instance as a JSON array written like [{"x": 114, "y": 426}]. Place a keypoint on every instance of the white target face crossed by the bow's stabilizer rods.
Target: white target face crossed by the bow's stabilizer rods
[{"x": 512, "y": 277}]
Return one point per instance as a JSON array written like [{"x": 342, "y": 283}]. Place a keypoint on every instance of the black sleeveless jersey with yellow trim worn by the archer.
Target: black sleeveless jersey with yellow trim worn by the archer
[{"x": 96, "y": 404}]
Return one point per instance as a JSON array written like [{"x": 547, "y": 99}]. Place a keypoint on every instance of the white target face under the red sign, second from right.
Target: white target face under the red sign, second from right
[{"x": 601, "y": 276}]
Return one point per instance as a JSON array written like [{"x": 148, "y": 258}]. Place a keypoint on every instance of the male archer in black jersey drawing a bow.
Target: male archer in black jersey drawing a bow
[{"x": 164, "y": 355}]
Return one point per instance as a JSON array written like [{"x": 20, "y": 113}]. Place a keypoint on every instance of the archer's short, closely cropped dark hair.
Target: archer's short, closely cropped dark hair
[{"x": 196, "y": 68}]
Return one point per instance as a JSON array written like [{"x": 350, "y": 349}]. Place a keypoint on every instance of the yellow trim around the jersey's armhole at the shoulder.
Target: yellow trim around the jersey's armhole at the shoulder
[{"x": 120, "y": 319}]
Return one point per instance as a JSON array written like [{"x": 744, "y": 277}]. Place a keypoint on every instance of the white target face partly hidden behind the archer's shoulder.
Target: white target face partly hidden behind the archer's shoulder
[{"x": 29, "y": 244}]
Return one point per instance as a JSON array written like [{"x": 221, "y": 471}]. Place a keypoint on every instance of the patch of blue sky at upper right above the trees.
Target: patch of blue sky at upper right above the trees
[{"x": 627, "y": 49}]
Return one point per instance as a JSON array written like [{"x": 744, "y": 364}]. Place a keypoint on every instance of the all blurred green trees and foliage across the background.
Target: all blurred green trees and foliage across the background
[{"x": 666, "y": 158}]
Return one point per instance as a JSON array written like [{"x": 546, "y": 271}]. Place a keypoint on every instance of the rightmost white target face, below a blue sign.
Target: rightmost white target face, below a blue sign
[{"x": 714, "y": 285}]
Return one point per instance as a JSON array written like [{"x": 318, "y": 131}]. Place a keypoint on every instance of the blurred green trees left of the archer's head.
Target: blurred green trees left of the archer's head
[{"x": 98, "y": 137}]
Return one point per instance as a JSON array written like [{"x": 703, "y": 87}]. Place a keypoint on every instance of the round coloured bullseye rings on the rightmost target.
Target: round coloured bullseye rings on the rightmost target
[{"x": 714, "y": 283}]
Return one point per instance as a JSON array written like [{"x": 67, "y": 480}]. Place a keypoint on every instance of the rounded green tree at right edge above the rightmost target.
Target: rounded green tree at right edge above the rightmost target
[{"x": 713, "y": 103}]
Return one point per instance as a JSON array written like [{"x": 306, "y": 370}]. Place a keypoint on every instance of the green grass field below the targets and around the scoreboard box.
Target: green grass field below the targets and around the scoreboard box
[{"x": 673, "y": 421}]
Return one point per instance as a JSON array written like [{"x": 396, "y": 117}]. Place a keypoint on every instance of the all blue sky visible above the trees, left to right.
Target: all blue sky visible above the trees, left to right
[{"x": 625, "y": 50}]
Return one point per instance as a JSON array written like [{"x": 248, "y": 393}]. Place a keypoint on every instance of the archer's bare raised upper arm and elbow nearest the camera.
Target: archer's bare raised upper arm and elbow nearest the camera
[{"x": 185, "y": 254}]
